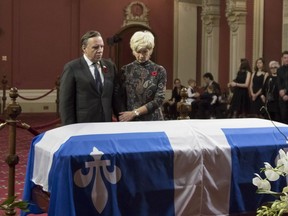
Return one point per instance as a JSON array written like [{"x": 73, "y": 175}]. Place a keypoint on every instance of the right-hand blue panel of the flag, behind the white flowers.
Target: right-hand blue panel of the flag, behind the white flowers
[{"x": 250, "y": 148}]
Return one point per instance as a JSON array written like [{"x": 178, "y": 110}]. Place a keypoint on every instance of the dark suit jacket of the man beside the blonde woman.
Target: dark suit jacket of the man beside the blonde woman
[{"x": 79, "y": 100}]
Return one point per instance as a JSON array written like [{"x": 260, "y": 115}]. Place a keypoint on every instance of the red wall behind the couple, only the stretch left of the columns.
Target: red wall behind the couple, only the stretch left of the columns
[{"x": 39, "y": 37}]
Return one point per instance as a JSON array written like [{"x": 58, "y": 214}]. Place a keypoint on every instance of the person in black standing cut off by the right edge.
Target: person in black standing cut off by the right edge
[{"x": 282, "y": 81}]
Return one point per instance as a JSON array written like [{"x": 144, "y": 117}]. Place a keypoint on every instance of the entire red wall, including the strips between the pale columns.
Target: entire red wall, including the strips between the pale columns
[{"x": 39, "y": 37}]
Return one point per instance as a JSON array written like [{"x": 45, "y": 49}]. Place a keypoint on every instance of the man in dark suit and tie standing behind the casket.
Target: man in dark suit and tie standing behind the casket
[{"x": 88, "y": 85}]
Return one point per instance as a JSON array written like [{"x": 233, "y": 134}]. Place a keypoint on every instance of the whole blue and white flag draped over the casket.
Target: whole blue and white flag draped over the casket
[{"x": 161, "y": 168}]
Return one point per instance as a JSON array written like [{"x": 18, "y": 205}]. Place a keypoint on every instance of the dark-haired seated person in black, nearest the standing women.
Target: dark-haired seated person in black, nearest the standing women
[{"x": 206, "y": 106}]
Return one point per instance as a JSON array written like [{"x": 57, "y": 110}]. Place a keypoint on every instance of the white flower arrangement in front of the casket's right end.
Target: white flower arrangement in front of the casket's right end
[{"x": 280, "y": 205}]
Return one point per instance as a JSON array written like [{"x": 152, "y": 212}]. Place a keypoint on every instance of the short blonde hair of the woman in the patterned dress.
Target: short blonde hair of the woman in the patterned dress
[{"x": 142, "y": 40}]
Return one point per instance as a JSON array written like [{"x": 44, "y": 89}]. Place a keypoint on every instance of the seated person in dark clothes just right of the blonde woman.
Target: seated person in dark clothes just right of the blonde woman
[{"x": 170, "y": 106}]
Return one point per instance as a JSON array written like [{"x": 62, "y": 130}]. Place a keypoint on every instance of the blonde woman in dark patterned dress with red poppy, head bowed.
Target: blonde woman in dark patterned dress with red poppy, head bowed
[{"x": 143, "y": 82}]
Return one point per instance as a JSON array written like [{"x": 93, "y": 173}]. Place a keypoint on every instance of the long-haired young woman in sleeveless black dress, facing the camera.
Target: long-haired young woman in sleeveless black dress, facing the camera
[{"x": 258, "y": 79}]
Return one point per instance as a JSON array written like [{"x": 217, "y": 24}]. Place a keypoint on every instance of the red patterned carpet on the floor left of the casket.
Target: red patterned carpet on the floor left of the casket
[{"x": 39, "y": 122}]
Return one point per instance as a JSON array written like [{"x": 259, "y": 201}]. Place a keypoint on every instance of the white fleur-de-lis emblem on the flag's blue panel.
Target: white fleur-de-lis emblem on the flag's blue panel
[{"x": 99, "y": 193}]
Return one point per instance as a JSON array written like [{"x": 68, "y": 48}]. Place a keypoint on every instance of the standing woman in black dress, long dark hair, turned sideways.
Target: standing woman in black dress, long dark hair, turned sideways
[{"x": 240, "y": 101}]
